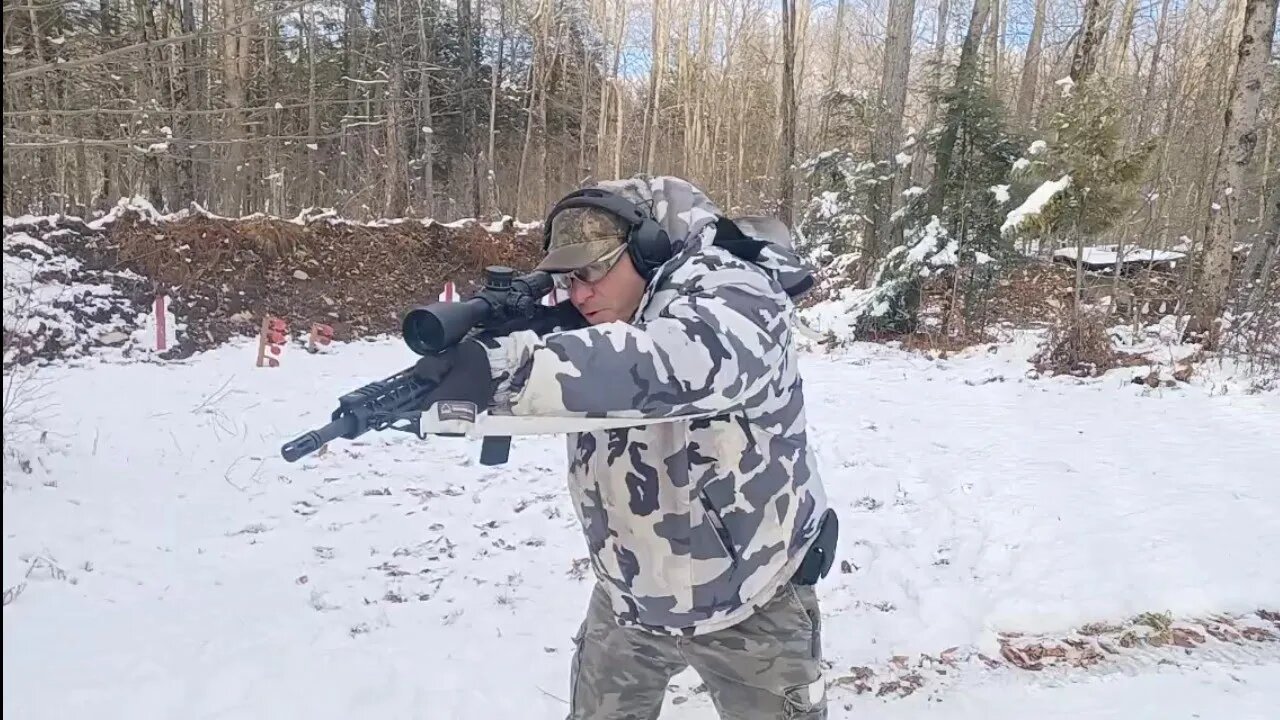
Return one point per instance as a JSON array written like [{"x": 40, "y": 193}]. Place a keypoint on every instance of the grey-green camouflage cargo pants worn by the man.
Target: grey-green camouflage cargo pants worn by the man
[{"x": 769, "y": 667}]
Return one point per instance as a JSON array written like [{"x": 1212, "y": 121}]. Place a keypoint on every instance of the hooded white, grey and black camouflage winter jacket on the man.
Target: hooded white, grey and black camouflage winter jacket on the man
[{"x": 698, "y": 517}]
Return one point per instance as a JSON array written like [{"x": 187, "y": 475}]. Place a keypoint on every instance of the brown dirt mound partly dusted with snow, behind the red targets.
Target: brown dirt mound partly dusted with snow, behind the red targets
[{"x": 222, "y": 276}]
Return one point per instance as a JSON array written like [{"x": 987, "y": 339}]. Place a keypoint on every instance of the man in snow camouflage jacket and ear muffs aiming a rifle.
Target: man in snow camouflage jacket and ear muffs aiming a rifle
[{"x": 707, "y": 521}]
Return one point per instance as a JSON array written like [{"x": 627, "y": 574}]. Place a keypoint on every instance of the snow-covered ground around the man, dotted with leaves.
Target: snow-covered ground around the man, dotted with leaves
[{"x": 162, "y": 560}]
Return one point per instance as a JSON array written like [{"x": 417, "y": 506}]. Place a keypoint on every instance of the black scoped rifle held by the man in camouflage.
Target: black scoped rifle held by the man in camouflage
[{"x": 509, "y": 303}]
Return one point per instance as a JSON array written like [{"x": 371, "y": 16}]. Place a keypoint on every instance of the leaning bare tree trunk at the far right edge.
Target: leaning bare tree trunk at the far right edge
[{"x": 1236, "y": 154}]
